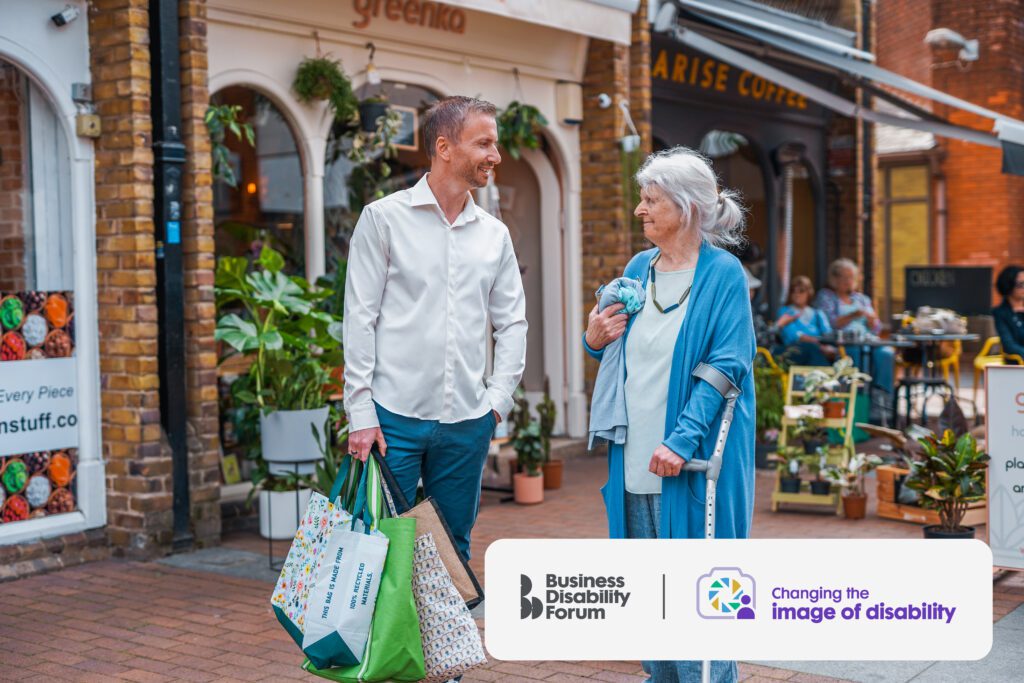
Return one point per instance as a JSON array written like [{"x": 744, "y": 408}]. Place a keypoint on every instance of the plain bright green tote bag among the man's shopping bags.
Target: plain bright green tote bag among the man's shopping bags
[{"x": 395, "y": 652}]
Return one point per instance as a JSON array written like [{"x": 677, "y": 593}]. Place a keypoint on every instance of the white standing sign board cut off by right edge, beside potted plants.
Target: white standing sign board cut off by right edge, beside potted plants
[{"x": 1005, "y": 403}]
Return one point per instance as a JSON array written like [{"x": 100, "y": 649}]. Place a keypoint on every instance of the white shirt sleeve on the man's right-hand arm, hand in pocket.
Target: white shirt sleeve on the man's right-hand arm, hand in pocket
[{"x": 507, "y": 309}]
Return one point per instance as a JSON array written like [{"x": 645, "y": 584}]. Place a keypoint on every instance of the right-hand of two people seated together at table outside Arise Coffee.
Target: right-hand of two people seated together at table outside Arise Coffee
[{"x": 850, "y": 311}]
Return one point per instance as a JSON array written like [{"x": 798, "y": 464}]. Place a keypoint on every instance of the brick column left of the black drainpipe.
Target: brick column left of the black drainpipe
[{"x": 139, "y": 465}]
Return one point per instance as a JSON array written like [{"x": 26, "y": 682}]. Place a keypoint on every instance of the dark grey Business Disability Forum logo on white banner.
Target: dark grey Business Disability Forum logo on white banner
[{"x": 578, "y": 597}]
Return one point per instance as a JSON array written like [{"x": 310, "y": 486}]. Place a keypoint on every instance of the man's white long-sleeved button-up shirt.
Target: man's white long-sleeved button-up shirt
[{"x": 419, "y": 292}]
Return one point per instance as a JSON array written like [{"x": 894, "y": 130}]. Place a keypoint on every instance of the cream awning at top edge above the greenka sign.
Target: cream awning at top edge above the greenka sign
[{"x": 608, "y": 20}]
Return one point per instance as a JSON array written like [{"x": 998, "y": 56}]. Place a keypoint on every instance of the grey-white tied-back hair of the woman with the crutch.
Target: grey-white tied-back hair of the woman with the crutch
[{"x": 688, "y": 179}]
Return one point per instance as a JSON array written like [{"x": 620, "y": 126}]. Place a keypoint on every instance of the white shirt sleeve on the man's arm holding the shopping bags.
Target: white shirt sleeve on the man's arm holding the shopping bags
[{"x": 365, "y": 280}]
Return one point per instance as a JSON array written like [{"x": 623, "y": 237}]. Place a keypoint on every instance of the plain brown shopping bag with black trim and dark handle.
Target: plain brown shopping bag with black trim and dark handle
[{"x": 430, "y": 520}]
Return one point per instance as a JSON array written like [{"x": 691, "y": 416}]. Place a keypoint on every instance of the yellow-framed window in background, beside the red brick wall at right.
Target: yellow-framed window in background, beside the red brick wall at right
[{"x": 906, "y": 236}]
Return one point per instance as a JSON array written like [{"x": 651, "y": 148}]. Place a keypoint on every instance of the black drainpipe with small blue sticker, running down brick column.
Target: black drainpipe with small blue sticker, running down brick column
[{"x": 169, "y": 157}]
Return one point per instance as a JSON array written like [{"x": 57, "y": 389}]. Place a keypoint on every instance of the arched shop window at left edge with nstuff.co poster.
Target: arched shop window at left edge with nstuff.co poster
[{"x": 37, "y": 478}]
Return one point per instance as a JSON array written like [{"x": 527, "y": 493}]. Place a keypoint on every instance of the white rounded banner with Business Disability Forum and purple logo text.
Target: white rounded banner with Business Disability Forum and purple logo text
[{"x": 752, "y": 600}]
